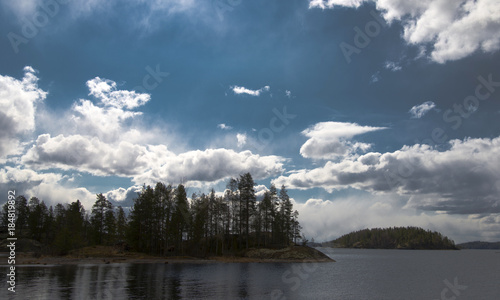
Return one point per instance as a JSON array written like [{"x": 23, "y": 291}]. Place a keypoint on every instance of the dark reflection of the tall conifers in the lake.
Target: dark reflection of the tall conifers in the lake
[{"x": 146, "y": 281}]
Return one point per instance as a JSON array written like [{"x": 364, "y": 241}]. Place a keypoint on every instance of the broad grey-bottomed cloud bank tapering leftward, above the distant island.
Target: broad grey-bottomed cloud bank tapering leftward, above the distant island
[{"x": 460, "y": 180}]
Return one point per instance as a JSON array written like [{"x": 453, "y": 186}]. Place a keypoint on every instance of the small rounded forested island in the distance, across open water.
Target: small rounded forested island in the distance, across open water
[{"x": 394, "y": 238}]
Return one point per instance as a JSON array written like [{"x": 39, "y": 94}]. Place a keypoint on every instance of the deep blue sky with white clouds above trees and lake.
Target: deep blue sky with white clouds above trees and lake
[{"x": 373, "y": 113}]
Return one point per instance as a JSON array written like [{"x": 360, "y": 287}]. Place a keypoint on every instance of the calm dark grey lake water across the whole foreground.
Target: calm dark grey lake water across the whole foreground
[{"x": 357, "y": 274}]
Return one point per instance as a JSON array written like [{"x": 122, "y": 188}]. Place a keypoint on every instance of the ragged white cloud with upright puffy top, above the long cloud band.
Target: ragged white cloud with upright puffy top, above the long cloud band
[{"x": 109, "y": 117}]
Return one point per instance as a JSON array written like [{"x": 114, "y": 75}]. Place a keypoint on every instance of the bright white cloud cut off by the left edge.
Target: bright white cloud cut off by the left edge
[{"x": 18, "y": 101}]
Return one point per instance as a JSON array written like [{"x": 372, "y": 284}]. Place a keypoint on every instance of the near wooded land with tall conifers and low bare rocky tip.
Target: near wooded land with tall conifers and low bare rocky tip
[{"x": 164, "y": 225}]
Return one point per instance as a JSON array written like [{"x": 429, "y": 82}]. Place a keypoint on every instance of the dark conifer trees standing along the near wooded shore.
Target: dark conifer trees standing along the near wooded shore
[{"x": 162, "y": 221}]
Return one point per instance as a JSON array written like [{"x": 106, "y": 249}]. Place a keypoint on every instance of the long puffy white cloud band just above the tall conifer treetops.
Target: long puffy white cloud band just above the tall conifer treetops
[{"x": 145, "y": 164}]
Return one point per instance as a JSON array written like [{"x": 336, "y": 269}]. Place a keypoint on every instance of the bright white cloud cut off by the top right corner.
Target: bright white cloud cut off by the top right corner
[{"x": 454, "y": 29}]
